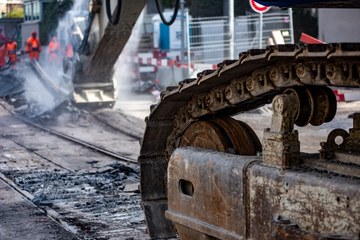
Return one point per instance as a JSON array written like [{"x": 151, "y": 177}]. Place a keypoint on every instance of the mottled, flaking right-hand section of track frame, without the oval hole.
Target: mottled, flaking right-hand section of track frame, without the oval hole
[{"x": 316, "y": 202}]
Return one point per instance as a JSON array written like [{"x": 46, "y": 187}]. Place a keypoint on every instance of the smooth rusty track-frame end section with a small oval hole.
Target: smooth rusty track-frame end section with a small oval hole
[{"x": 213, "y": 205}]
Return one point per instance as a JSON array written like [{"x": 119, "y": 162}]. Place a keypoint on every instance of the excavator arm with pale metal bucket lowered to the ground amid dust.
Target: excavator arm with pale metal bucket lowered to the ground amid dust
[{"x": 104, "y": 40}]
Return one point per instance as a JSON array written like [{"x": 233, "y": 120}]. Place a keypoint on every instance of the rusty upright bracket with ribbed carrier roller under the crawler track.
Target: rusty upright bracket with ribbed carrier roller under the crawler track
[{"x": 314, "y": 105}]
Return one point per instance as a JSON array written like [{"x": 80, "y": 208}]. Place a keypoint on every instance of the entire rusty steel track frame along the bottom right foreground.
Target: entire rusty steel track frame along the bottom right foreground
[{"x": 224, "y": 196}]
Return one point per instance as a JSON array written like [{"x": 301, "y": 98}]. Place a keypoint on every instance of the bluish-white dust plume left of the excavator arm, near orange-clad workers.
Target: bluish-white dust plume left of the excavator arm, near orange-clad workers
[{"x": 43, "y": 96}]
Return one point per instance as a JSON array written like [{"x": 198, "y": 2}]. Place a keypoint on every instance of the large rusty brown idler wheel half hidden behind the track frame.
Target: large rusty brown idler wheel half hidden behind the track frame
[{"x": 222, "y": 134}]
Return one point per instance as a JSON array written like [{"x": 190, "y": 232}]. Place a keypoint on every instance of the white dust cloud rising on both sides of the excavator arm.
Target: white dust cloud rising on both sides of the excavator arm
[{"x": 72, "y": 29}]
